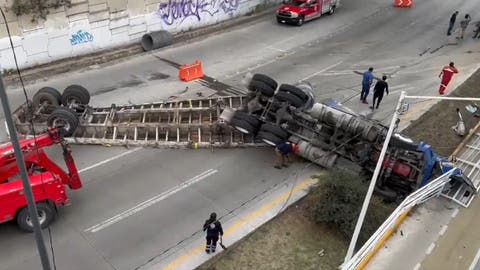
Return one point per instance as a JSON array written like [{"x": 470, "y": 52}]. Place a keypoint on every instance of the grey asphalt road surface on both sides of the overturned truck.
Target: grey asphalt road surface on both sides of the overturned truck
[{"x": 133, "y": 205}]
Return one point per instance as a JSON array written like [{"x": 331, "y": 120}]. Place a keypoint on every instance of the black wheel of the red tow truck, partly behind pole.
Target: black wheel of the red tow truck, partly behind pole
[{"x": 46, "y": 214}]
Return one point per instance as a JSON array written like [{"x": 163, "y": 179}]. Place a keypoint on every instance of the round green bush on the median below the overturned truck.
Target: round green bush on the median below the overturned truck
[{"x": 337, "y": 201}]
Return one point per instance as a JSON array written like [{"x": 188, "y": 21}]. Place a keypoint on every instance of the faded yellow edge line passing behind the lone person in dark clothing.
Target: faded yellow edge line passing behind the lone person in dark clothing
[{"x": 242, "y": 222}]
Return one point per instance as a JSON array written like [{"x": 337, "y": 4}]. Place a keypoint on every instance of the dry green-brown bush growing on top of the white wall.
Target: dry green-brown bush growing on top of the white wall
[{"x": 37, "y": 8}]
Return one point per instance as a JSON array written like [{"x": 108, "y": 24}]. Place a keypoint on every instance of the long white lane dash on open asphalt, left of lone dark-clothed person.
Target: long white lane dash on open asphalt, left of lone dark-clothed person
[{"x": 141, "y": 206}]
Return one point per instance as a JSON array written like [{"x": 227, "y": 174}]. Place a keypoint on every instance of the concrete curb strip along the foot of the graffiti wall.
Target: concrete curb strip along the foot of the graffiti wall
[{"x": 122, "y": 53}]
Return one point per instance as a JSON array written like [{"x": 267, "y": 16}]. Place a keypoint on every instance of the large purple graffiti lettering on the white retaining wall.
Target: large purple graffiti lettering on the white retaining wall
[{"x": 176, "y": 11}]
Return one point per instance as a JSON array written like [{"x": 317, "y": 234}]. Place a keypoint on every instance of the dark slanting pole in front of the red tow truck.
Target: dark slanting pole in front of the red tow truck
[{"x": 32, "y": 208}]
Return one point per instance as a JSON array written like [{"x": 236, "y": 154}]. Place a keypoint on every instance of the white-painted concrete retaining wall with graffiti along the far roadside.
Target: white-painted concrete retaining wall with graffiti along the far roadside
[{"x": 93, "y": 25}]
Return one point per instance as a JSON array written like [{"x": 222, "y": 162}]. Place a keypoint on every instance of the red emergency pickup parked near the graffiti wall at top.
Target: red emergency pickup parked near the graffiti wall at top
[{"x": 299, "y": 11}]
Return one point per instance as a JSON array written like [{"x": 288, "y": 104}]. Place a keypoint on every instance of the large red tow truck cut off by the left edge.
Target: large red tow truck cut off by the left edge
[{"x": 47, "y": 180}]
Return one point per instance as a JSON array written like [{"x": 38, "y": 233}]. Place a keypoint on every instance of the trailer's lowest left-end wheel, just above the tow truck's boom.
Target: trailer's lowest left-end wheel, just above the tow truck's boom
[{"x": 65, "y": 119}]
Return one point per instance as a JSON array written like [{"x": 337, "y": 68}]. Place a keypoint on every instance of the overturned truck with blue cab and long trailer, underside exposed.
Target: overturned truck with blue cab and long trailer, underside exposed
[{"x": 267, "y": 115}]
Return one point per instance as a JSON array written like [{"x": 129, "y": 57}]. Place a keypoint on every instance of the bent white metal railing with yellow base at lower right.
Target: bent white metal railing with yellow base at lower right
[{"x": 432, "y": 189}]
